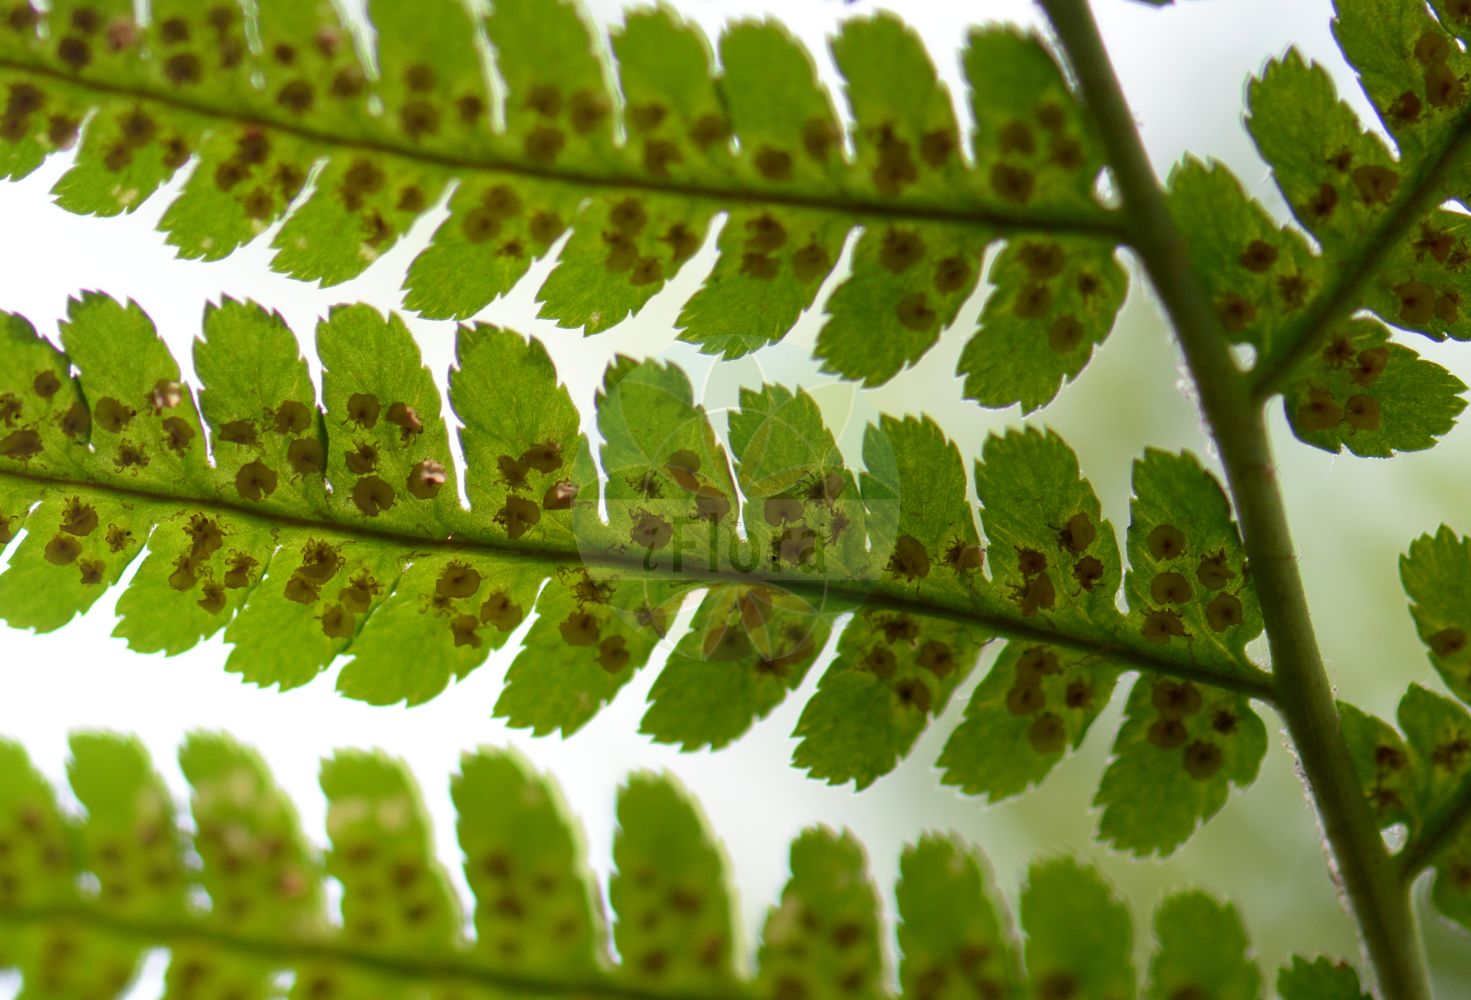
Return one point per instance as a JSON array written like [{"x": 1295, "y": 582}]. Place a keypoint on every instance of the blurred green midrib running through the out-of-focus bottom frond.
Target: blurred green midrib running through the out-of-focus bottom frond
[{"x": 454, "y": 968}]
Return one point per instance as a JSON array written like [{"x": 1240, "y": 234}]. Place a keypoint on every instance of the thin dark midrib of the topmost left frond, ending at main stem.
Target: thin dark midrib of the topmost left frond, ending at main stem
[{"x": 1101, "y": 223}]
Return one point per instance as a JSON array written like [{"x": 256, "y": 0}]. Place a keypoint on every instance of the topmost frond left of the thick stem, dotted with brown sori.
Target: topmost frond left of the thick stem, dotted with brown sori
[{"x": 638, "y": 173}]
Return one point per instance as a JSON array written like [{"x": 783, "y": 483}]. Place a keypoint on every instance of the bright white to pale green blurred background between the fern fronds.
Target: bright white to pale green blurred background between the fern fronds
[{"x": 1185, "y": 71}]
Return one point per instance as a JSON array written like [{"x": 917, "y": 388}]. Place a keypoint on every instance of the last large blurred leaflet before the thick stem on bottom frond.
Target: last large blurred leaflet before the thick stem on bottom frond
[{"x": 1201, "y": 949}]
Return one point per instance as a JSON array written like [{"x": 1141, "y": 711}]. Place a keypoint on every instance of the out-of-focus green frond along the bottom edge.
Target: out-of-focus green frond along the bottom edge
[{"x": 252, "y": 905}]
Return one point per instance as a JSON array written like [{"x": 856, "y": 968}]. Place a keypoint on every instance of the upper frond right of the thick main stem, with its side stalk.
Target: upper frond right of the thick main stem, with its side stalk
[{"x": 1388, "y": 242}]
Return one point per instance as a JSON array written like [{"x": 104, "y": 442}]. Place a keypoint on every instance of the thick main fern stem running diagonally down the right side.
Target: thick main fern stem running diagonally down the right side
[{"x": 1369, "y": 876}]
